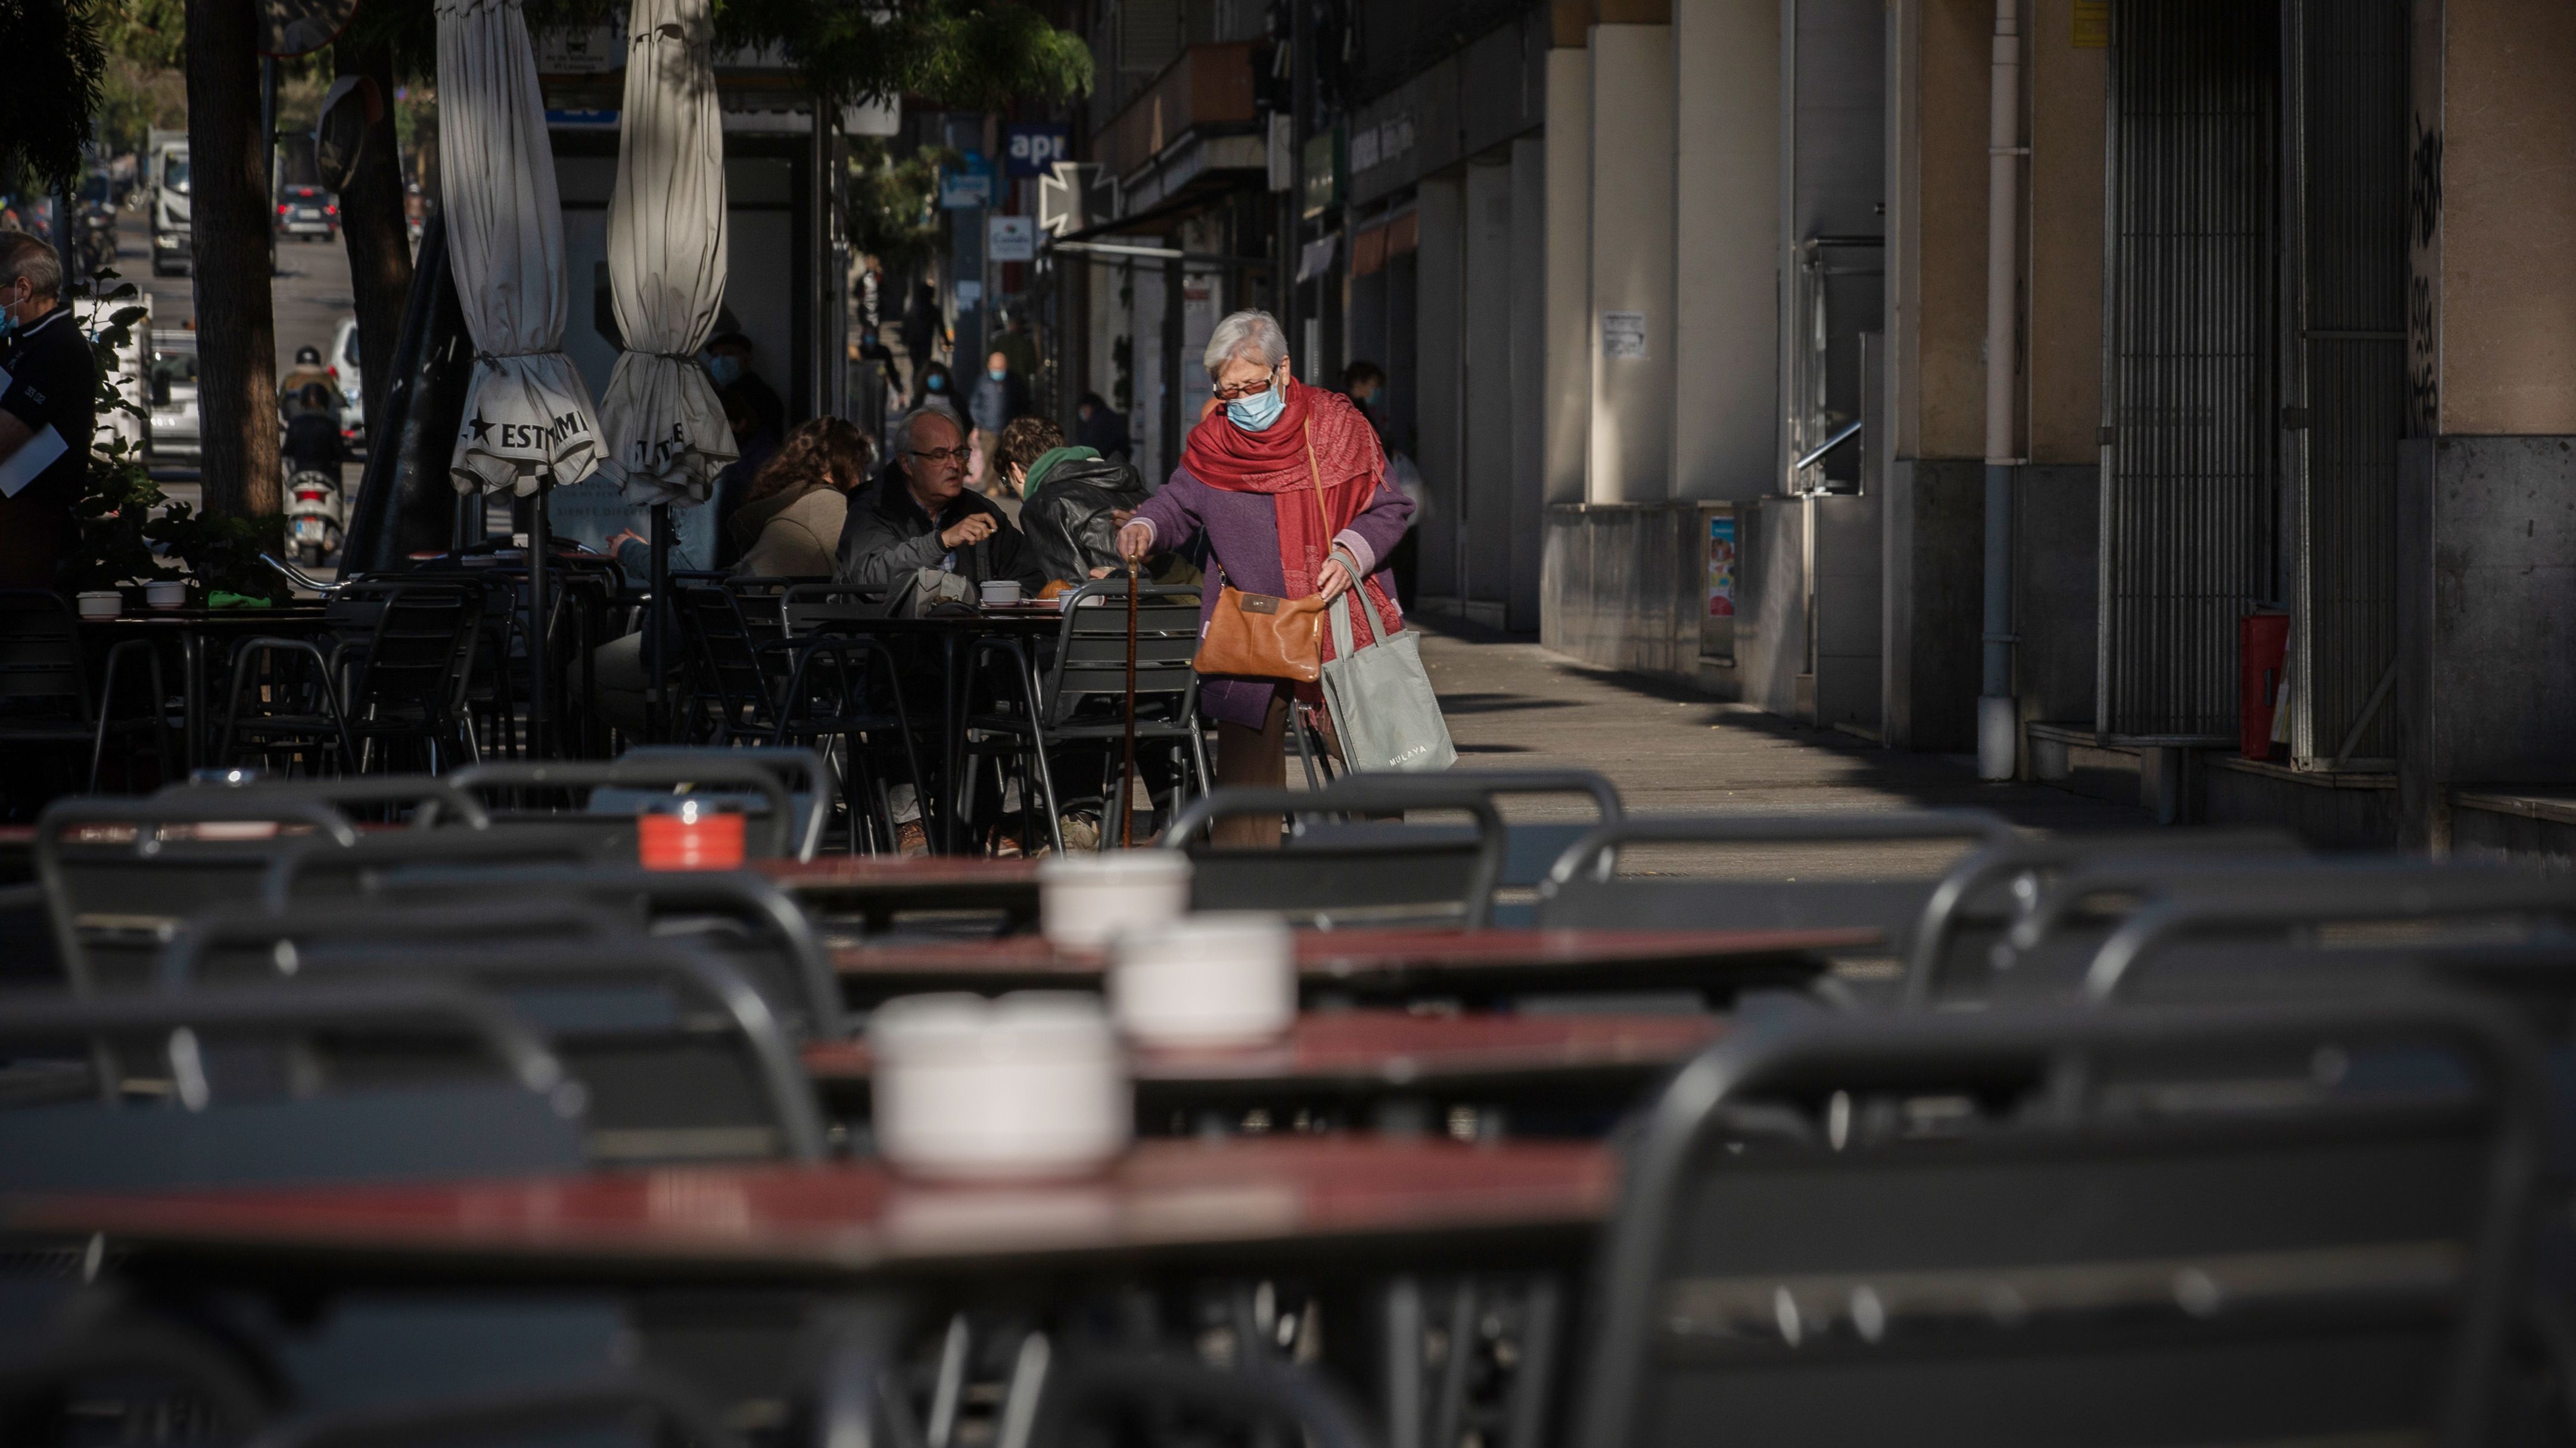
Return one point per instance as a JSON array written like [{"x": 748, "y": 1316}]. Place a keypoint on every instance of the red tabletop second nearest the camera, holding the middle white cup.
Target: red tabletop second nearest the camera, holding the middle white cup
[{"x": 1385, "y": 1060}]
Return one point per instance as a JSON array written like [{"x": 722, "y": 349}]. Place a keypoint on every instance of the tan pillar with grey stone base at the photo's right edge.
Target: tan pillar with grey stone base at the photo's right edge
[{"x": 2487, "y": 591}]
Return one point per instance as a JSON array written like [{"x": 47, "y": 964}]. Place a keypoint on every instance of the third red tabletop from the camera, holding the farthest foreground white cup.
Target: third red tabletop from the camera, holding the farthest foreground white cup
[{"x": 1397, "y": 967}]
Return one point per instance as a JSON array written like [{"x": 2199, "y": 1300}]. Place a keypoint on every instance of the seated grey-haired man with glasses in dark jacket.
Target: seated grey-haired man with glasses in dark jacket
[{"x": 921, "y": 514}]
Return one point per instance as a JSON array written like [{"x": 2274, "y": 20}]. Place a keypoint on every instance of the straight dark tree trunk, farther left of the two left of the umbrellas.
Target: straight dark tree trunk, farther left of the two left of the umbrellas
[{"x": 236, "y": 326}]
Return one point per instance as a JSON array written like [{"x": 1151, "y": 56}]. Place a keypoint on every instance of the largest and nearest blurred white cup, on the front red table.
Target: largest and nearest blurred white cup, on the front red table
[{"x": 1029, "y": 1086}]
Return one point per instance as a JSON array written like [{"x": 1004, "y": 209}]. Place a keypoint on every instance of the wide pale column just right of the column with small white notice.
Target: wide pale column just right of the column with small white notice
[{"x": 1727, "y": 225}]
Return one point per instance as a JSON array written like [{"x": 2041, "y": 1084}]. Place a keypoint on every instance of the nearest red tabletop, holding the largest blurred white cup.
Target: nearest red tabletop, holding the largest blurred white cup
[{"x": 1235, "y": 1207}]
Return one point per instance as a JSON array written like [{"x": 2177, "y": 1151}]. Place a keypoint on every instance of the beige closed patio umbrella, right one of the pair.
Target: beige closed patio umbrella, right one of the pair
[{"x": 666, "y": 274}]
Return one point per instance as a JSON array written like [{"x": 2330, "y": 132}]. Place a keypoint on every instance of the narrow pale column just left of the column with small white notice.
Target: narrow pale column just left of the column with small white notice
[{"x": 1567, "y": 419}]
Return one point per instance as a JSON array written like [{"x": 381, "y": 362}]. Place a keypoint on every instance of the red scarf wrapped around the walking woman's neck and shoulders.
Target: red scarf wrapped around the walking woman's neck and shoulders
[{"x": 1276, "y": 460}]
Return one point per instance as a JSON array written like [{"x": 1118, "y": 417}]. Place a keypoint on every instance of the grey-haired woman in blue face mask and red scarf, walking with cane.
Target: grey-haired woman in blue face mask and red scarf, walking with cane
[{"x": 1248, "y": 481}]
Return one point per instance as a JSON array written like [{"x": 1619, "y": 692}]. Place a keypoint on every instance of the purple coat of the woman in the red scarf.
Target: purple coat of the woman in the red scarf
[{"x": 1245, "y": 537}]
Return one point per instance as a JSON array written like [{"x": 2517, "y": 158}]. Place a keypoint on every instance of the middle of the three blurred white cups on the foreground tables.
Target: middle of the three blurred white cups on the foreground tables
[{"x": 1207, "y": 980}]
